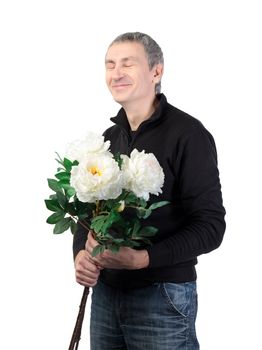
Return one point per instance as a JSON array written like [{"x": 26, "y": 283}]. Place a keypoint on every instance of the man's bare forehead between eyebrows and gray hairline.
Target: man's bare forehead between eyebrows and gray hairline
[{"x": 126, "y": 49}]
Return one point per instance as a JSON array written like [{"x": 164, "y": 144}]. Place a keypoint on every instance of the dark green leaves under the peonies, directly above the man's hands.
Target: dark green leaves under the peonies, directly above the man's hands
[{"x": 113, "y": 230}]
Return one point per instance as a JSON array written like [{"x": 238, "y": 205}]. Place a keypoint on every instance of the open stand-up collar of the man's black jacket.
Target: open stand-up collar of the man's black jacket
[{"x": 121, "y": 118}]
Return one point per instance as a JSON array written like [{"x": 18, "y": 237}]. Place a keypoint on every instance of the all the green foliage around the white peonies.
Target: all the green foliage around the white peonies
[{"x": 111, "y": 228}]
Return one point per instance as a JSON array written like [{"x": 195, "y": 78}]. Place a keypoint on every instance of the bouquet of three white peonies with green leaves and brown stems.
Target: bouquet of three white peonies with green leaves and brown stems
[{"x": 95, "y": 189}]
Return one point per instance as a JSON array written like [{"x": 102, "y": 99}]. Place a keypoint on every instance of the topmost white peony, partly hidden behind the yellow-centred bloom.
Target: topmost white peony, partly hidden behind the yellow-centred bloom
[{"x": 91, "y": 143}]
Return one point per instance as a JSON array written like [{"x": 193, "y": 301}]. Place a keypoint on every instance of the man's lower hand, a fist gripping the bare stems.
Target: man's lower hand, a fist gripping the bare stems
[{"x": 86, "y": 271}]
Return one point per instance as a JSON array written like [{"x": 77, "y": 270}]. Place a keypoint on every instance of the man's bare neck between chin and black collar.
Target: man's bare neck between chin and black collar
[{"x": 140, "y": 112}]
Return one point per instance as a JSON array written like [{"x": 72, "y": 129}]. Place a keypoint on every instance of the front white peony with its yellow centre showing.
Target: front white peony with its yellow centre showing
[{"x": 97, "y": 177}]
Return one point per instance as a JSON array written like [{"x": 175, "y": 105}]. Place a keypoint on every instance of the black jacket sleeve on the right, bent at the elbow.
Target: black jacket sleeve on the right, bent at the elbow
[{"x": 197, "y": 175}]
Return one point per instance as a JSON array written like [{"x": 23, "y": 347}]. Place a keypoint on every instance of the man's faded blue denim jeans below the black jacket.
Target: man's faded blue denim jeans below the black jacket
[{"x": 158, "y": 317}]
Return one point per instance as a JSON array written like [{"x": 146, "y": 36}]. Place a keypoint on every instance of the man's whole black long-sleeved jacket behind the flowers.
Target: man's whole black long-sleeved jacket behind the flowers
[{"x": 193, "y": 223}]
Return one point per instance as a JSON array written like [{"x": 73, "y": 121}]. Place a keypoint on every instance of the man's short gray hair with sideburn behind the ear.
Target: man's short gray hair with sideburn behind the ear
[{"x": 152, "y": 49}]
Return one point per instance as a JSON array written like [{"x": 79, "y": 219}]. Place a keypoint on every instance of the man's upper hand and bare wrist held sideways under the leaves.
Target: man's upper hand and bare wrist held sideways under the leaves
[{"x": 126, "y": 258}]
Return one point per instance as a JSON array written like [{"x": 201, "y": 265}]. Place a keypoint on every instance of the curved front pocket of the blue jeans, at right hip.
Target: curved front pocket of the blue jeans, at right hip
[{"x": 177, "y": 297}]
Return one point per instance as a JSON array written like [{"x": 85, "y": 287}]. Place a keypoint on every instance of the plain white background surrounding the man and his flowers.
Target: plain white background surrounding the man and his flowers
[{"x": 52, "y": 91}]
